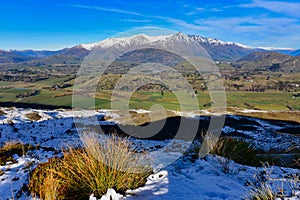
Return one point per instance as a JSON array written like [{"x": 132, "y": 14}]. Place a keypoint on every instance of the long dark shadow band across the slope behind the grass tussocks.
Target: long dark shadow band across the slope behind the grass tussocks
[{"x": 239, "y": 126}]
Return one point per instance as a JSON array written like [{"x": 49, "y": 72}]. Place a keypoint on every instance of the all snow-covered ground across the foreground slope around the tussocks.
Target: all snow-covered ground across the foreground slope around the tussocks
[{"x": 187, "y": 178}]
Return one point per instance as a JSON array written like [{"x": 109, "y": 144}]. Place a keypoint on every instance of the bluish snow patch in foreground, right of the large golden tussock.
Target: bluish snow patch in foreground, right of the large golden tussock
[{"x": 206, "y": 179}]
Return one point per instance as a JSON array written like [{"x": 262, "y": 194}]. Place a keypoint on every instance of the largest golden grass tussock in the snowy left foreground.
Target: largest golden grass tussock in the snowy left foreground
[{"x": 92, "y": 169}]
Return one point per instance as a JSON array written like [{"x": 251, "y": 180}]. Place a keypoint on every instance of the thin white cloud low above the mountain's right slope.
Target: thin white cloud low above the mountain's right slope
[{"x": 254, "y": 31}]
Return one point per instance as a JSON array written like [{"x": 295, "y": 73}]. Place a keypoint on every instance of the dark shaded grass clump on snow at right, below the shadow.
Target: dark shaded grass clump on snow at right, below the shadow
[{"x": 237, "y": 150}]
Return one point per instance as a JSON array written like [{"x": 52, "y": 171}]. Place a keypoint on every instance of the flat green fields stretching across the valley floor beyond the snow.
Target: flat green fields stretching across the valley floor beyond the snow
[{"x": 270, "y": 99}]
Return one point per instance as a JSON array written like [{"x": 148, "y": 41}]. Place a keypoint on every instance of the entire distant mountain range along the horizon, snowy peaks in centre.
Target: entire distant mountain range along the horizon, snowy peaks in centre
[{"x": 218, "y": 50}]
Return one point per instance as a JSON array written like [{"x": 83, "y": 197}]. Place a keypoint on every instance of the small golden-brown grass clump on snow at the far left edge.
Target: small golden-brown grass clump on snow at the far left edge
[{"x": 10, "y": 149}]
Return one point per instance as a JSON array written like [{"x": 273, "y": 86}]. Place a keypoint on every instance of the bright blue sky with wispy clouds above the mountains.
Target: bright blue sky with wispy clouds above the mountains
[{"x": 55, "y": 24}]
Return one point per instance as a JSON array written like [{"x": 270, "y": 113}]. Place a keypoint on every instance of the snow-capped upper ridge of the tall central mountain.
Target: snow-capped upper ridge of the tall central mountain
[{"x": 218, "y": 50}]
